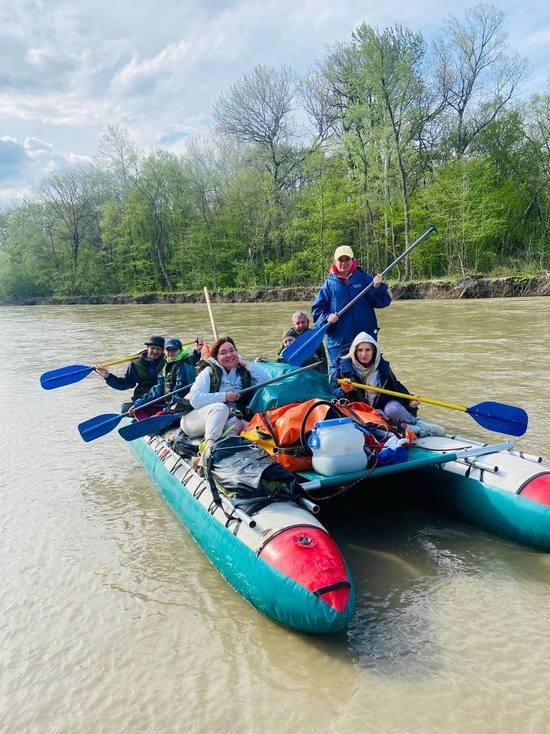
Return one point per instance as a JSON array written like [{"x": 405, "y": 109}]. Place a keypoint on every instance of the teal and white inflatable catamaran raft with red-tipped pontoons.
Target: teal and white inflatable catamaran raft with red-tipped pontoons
[{"x": 282, "y": 559}]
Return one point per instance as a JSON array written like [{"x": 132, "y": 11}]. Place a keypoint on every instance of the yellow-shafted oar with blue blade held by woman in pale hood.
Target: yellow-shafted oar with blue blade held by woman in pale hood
[{"x": 493, "y": 416}]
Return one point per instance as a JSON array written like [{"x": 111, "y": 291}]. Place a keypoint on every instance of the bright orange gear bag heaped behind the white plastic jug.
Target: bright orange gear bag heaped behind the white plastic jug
[{"x": 283, "y": 432}]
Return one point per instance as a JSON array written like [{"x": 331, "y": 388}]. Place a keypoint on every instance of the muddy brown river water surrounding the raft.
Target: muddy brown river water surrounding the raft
[{"x": 112, "y": 620}]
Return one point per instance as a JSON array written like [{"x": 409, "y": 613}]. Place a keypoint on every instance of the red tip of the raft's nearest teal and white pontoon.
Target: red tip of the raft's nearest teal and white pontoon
[{"x": 309, "y": 556}]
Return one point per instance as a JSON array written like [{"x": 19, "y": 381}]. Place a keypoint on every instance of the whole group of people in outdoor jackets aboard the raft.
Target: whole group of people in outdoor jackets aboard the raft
[{"x": 210, "y": 386}]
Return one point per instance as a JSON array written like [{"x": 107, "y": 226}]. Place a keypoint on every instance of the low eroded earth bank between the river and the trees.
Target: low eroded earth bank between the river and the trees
[{"x": 470, "y": 287}]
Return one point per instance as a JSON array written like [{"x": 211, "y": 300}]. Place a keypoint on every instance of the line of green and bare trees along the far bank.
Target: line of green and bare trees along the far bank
[{"x": 386, "y": 134}]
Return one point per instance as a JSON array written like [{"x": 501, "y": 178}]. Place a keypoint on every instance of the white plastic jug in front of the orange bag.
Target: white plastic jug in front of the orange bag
[{"x": 337, "y": 447}]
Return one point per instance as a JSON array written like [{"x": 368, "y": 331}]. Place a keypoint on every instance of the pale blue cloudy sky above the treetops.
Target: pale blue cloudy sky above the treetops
[{"x": 69, "y": 70}]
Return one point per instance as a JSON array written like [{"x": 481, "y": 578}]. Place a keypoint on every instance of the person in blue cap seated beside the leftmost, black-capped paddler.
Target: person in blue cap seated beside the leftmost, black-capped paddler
[{"x": 178, "y": 370}]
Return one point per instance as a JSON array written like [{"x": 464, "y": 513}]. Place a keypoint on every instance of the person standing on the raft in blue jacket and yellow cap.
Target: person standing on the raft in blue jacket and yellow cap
[{"x": 346, "y": 279}]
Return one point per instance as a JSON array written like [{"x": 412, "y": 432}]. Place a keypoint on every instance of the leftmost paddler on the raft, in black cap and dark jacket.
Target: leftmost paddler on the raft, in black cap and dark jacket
[{"x": 142, "y": 373}]
